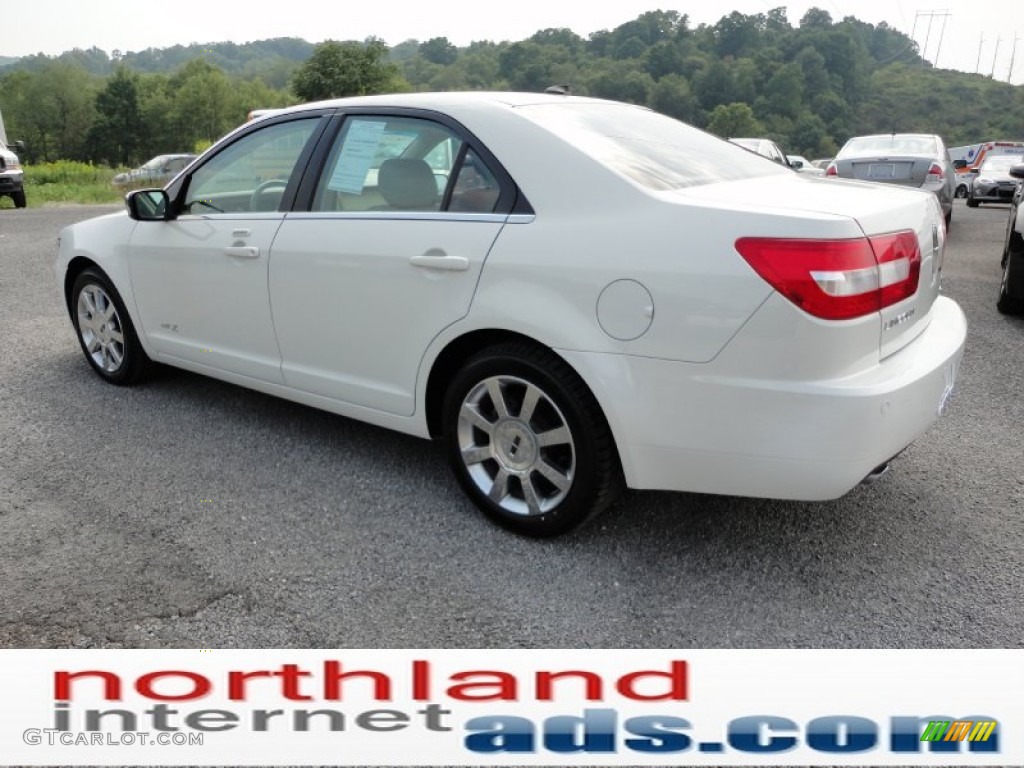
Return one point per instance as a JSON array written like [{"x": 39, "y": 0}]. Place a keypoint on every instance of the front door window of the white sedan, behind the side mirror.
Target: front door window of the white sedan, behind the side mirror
[{"x": 251, "y": 175}]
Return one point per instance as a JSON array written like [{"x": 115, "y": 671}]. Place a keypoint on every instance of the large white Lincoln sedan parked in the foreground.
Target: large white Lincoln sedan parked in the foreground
[{"x": 573, "y": 295}]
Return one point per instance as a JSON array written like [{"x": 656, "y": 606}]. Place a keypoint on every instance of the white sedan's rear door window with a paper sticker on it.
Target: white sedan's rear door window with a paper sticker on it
[{"x": 385, "y": 163}]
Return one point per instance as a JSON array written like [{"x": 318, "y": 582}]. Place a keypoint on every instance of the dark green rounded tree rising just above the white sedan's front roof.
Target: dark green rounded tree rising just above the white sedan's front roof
[{"x": 349, "y": 69}]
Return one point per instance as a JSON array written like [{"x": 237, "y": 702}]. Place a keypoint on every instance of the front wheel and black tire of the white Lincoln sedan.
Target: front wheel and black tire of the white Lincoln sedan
[{"x": 105, "y": 330}]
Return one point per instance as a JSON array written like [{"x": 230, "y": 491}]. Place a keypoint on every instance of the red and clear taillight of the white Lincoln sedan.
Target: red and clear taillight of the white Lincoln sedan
[{"x": 838, "y": 279}]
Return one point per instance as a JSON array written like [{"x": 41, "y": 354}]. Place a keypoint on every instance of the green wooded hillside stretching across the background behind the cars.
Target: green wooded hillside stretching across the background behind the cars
[{"x": 808, "y": 86}]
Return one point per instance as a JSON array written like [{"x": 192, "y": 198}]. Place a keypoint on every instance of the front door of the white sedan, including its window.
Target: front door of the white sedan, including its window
[{"x": 201, "y": 280}]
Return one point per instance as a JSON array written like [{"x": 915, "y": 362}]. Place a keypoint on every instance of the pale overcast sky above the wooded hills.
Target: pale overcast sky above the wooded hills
[{"x": 56, "y": 26}]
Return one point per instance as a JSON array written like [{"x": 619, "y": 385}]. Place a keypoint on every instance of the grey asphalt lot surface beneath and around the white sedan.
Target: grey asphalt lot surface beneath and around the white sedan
[{"x": 192, "y": 514}]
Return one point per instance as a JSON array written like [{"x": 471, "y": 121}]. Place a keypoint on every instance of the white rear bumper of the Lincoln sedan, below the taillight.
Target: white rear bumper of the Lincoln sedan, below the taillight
[{"x": 681, "y": 428}]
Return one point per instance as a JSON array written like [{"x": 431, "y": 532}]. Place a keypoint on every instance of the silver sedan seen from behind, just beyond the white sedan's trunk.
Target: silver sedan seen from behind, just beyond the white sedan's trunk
[{"x": 916, "y": 160}]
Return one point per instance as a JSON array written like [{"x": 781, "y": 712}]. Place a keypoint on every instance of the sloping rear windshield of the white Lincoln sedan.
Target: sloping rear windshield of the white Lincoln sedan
[{"x": 650, "y": 149}]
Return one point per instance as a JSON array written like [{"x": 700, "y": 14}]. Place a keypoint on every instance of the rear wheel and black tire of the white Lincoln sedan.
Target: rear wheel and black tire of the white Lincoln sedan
[{"x": 541, "y": 476}]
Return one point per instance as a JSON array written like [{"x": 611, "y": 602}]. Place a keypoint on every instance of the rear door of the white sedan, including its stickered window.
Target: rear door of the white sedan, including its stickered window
[{"x": 388, "y": 255}]
